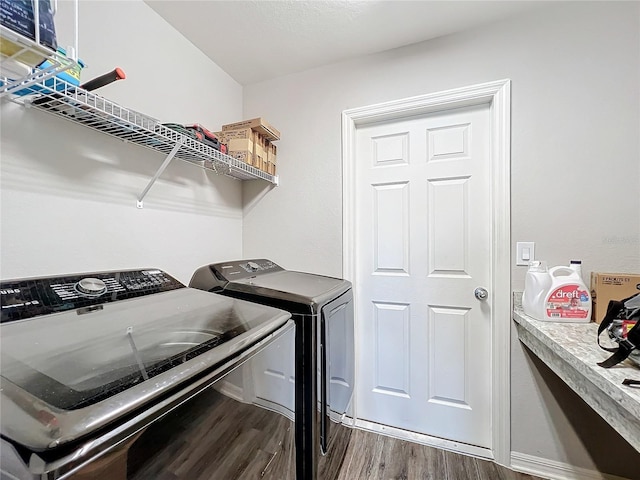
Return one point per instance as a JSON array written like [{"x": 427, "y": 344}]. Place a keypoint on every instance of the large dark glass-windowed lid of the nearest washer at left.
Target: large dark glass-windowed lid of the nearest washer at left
[{"x": 67, "y": 374}]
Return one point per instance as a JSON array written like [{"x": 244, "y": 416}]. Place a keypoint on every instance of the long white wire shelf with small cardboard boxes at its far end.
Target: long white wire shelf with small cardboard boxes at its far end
[{"x": 57, "y": 97}]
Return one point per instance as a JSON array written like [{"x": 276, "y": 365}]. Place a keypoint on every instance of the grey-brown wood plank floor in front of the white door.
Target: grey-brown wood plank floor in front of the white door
[{"x": 377, "y": 457}]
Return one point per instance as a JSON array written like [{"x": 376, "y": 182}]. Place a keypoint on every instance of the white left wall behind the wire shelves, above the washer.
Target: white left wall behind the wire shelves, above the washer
[{"x": 69, "y": 193}]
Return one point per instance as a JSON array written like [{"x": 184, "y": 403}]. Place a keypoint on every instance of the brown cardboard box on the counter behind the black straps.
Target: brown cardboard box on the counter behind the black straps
[{"x": 611, "y": 286}]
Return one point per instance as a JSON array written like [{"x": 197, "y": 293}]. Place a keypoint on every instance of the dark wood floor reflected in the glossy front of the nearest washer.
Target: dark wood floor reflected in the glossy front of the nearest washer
[{"x": 215, "y": 438}]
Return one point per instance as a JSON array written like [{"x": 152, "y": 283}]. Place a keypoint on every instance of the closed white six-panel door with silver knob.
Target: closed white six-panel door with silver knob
[{"x": 423, "y": 237}]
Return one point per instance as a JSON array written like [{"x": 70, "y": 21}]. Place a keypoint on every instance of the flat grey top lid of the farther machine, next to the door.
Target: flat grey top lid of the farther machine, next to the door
[{"x": 299, "y": 287}]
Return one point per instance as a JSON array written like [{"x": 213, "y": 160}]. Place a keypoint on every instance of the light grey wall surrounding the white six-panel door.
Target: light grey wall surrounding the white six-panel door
[{"x": 575, "y": 71}]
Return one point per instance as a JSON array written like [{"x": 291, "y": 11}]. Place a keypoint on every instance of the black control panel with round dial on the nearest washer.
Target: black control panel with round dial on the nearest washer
[{"x": 31, "y": 297}]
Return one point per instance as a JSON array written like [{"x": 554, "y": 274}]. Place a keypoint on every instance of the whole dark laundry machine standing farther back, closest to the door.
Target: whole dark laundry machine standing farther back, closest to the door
[{"x": 322, "y": 309}]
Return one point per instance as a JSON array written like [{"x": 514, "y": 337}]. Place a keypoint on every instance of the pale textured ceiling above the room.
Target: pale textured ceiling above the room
[{"x": 258, "y": 40}]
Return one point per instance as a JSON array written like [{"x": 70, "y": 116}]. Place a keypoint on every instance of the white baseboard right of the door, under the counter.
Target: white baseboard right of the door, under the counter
[{"x": 554, "y": 470}]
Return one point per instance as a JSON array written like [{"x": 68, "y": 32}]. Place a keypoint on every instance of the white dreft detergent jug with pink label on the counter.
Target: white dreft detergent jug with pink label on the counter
[{"x": 568, "y": 298}]
